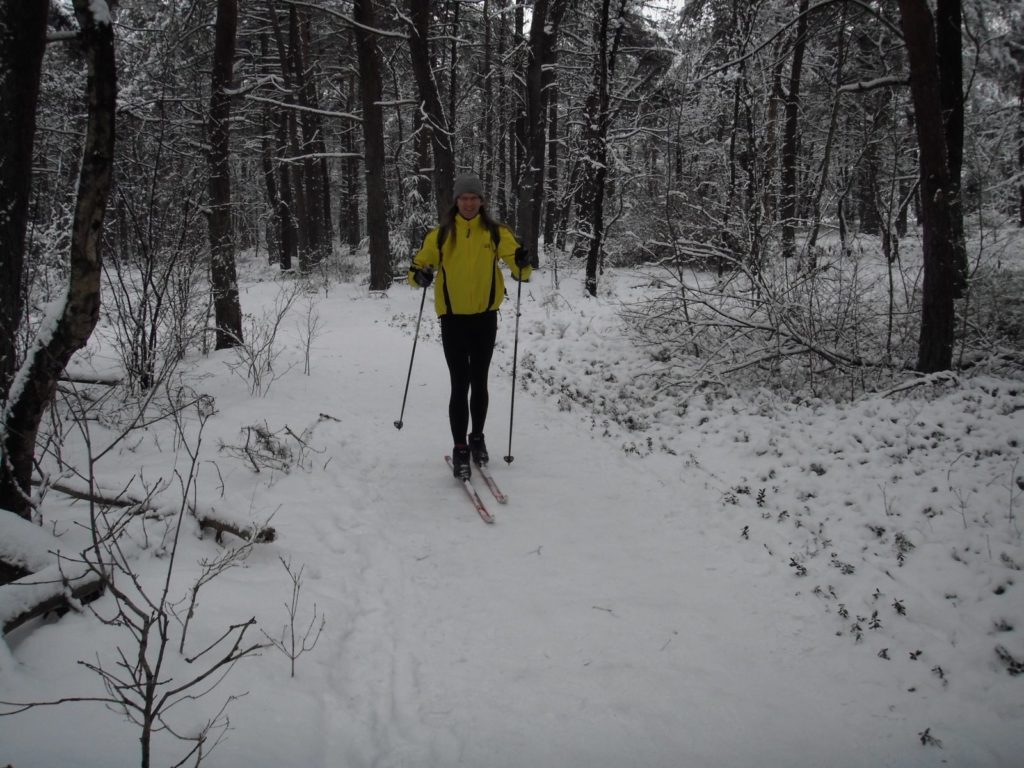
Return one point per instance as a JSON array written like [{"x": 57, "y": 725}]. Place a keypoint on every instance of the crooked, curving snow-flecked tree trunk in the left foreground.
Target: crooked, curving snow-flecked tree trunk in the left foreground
[{"x": 76, "y": 317}]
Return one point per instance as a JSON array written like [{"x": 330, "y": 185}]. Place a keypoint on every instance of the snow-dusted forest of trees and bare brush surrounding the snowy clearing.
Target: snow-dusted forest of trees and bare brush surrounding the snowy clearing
[{"x": 829, "y": 192}]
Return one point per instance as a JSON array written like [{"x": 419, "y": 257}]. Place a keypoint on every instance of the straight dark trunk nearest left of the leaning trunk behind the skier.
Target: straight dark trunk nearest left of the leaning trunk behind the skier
[{"x": 373, "y": 134}]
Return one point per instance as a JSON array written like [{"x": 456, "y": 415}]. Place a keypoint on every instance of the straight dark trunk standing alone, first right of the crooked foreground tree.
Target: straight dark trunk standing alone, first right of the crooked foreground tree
[{"x": 227, "y": 310}]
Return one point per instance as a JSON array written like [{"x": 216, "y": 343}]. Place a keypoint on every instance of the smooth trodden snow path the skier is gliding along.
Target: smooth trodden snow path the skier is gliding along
[{"x": 457, "y": 644}]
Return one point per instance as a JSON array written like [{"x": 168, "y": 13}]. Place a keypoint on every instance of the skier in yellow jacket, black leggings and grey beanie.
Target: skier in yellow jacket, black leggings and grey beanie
[{"x": 464, "y": 252}]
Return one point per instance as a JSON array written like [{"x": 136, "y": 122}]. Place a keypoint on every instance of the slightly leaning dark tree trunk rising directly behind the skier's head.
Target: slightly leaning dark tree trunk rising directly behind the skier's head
[{"x": 438, "y": 126}]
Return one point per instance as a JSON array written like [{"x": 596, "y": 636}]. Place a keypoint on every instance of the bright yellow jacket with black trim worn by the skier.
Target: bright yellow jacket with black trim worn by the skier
[{"x": 467, "y": 279}]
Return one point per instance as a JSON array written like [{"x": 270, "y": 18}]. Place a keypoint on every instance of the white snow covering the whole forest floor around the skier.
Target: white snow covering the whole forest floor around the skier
[{"x": 727, "y": 581}]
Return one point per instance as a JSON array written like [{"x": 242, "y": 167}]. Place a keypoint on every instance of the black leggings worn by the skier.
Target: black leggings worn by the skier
[{"x": 470, "y": 343}]
